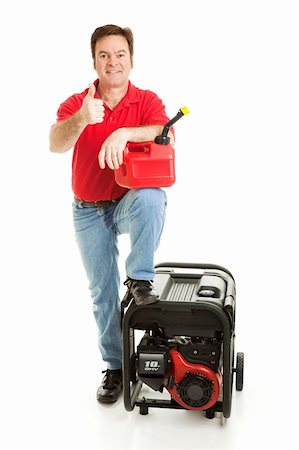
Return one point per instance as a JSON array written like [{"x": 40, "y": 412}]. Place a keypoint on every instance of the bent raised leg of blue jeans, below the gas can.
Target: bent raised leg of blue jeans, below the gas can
[{"x": 141, "y": 213}]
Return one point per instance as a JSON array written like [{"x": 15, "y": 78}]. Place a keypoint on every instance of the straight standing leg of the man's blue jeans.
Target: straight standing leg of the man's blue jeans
[{"x": 97, "y": 242}]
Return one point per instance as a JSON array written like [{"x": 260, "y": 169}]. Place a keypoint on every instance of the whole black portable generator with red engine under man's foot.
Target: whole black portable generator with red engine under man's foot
[{"x": 186, "y": 346}]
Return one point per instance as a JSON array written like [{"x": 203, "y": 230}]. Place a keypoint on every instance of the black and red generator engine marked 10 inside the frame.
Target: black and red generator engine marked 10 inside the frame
[{"x": 188, "y": 367}]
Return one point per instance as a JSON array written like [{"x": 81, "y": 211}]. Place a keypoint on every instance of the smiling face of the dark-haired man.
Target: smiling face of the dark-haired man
[{"x": 112, "y": 61}]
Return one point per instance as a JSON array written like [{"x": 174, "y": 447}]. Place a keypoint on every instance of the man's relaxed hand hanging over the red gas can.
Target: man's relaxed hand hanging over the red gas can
[{"x": 112, "y": 149}]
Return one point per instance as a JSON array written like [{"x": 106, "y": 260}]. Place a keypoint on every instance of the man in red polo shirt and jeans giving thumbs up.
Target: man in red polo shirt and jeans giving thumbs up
[{"x": 98, "y": 123}]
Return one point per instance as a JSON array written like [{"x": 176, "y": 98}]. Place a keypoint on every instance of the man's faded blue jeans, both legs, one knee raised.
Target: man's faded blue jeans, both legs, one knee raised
[{"x": 141, "y": 214}]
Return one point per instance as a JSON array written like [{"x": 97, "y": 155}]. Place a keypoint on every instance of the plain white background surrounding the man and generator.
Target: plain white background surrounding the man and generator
[{"x": 235, "y": 203}]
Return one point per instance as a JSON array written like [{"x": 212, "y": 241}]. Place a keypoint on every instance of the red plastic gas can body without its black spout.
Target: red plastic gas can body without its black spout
[{"x": 146, "y": 164}]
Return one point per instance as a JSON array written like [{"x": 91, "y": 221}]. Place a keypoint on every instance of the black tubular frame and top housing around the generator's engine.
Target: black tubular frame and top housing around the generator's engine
[{"x": 186, "y": 315}]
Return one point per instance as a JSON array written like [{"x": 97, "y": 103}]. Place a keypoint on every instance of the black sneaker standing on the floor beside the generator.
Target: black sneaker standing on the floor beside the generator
[{"x": 110, "y": 387}]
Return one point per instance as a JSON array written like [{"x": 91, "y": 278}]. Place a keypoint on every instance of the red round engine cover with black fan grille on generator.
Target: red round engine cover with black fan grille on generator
[{"x": 194, "y": 386}]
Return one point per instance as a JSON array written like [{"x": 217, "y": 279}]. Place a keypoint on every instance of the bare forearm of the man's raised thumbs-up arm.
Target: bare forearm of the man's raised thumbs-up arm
[{"x": 64, "y": 134}]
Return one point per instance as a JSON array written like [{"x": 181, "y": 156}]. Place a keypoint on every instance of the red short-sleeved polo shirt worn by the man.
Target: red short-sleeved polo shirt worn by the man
[{"x": 138, "y": 107}]
